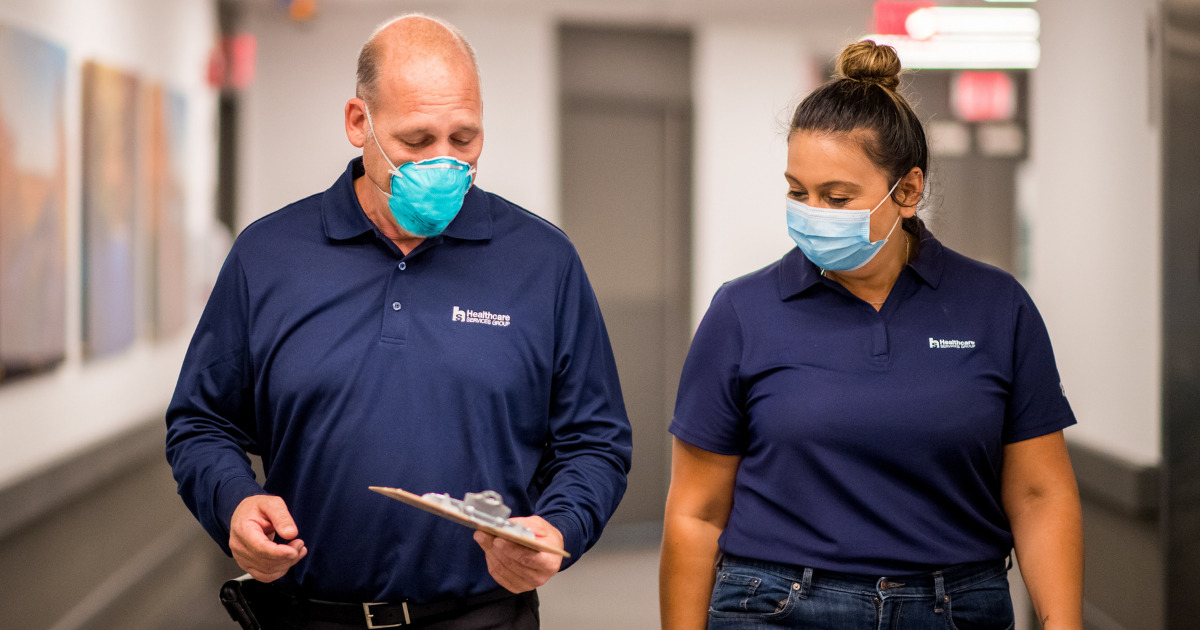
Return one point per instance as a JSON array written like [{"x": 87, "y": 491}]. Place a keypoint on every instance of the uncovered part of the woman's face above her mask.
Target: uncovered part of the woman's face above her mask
[{"x": 832, "y": 171}]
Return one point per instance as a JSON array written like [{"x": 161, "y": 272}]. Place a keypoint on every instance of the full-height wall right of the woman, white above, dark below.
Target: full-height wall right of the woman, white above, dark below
[{"x": 1095, "y": 259}]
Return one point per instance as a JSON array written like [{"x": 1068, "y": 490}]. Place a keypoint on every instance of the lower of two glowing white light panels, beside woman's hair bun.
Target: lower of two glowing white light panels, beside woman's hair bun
[{"x": 963, "y": 53}]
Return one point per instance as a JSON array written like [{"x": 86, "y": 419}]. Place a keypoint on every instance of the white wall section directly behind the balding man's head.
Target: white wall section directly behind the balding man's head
[{"x": 295, "y": 142}]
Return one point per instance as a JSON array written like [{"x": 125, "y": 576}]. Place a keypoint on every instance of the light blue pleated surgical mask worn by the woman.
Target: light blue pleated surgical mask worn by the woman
[{"x": 836, "y": 241}]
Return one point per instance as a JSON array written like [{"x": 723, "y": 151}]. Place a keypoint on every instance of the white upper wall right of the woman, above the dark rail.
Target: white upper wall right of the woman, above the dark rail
[{"x": 1095, "y": 224}]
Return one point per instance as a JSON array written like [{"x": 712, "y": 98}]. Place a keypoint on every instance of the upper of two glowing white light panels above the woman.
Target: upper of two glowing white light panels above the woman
[{"x": 1019, "y": 23}]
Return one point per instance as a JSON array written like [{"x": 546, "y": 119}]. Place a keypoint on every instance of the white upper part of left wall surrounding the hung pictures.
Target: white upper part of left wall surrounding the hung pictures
[{"x": 47, "y": 418}]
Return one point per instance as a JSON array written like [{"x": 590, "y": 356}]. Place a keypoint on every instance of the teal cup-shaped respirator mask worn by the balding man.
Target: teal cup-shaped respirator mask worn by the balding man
[{"x": 425, "y": 196}]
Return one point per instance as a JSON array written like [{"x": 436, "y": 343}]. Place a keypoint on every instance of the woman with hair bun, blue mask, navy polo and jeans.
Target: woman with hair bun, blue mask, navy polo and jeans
[{"x": 866, "y": 428}]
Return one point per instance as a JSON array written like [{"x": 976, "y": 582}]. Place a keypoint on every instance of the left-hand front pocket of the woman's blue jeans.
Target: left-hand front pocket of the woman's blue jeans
[{"x": 749, "y": 591}]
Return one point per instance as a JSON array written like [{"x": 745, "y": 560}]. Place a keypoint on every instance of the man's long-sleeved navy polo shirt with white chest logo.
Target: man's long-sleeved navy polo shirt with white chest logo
[{"x": 478, "y": 362}]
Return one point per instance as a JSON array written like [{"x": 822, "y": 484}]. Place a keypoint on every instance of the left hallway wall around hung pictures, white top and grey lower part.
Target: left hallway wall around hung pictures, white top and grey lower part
[{"x": 92, "y": 531}]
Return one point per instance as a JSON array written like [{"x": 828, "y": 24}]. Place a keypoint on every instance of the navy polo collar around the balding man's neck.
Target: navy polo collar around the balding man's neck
[{"x": 345, "y": 219}]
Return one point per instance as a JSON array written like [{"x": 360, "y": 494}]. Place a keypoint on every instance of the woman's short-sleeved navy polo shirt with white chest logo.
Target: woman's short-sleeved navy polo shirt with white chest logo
[{"x": 871, "y": 442}]
